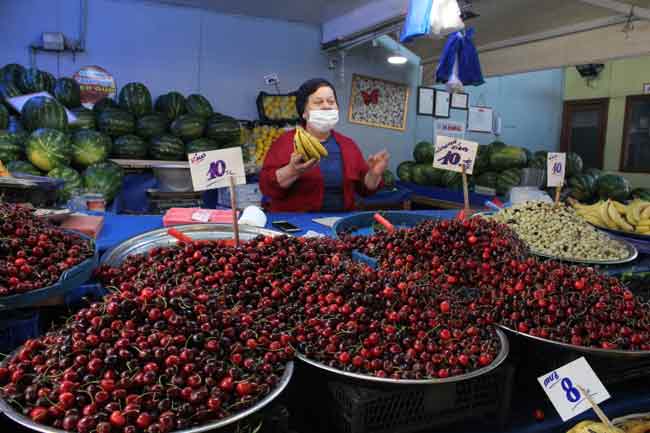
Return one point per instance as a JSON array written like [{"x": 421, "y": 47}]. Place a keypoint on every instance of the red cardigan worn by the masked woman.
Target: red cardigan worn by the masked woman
[{"x": 306, "y": 193}]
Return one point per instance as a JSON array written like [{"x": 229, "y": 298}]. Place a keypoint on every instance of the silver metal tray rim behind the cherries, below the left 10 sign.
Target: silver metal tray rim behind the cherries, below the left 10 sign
[{"x": 159, "y": 238}]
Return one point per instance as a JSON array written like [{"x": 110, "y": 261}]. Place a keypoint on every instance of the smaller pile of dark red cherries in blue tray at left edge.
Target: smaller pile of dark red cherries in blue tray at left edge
[{"x": 34, "y": 253}]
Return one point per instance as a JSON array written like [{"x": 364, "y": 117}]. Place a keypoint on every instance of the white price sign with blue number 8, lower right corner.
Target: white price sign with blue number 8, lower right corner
[{"x": 561, "y": 387}]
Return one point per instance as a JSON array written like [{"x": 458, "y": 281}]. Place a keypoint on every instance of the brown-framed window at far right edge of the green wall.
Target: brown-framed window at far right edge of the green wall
[{"x": 635, "y": 154}]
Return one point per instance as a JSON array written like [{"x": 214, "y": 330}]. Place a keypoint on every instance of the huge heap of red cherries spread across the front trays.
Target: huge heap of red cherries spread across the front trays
[{"x": 197, "y": 332}]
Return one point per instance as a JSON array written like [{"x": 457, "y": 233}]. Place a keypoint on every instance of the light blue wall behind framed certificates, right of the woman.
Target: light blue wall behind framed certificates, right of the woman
[{"x": 530, "y": 106}]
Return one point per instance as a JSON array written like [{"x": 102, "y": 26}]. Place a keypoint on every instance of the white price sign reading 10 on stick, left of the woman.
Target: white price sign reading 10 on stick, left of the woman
[{"x": 214, "y": 169}]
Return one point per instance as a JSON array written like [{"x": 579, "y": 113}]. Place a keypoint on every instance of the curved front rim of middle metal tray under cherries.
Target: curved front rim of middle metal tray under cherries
[{"x": 503, "y": 353}]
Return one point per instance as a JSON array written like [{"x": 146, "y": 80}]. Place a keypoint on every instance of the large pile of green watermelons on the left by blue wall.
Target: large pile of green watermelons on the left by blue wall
[{"x": 39, "y": 140}]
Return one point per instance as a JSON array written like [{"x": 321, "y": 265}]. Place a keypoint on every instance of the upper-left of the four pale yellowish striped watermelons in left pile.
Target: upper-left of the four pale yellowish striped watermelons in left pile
[{"x": 48, "y": 149}]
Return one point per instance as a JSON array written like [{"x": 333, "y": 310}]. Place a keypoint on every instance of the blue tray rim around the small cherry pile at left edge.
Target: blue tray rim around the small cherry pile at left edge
[{"x": 69, "y": 280}]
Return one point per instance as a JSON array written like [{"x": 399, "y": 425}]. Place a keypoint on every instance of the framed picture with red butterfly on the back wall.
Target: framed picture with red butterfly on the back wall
[{"x": 378, "y": 103}]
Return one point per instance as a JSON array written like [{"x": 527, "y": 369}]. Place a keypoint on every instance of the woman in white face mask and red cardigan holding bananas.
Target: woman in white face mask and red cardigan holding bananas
[{"x": 328, "y": 185}]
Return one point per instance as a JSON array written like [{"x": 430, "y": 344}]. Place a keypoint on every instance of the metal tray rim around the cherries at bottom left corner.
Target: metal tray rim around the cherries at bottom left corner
[{"x": 9, "y": 411}]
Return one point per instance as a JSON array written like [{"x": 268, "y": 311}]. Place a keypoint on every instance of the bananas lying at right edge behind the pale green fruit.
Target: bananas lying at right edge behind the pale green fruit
[{"x": 633, "y": 217}]
